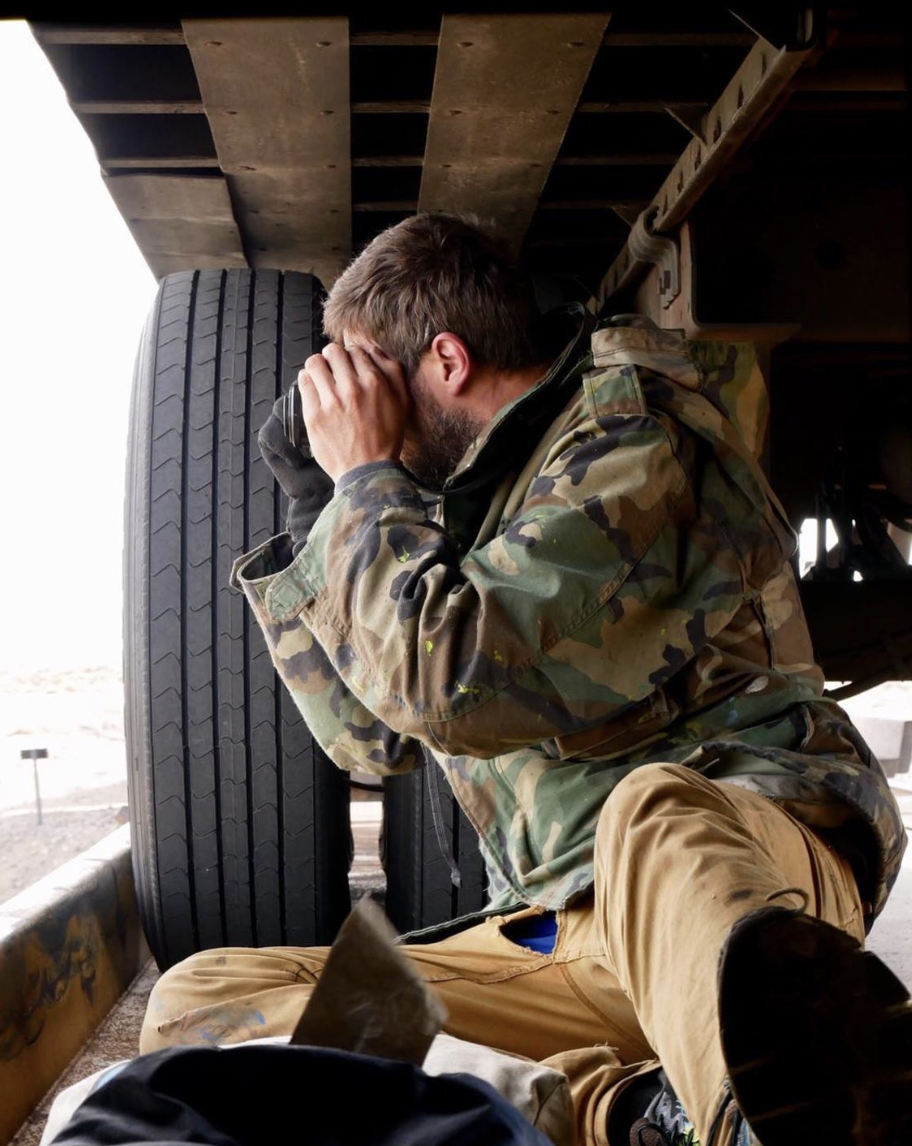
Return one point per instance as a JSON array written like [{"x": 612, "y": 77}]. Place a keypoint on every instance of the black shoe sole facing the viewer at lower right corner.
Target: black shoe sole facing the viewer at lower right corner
[{"x": 817, "y": 1035}]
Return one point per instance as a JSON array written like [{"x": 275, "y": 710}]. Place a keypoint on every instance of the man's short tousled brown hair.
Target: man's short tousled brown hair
[{"x": 434, "y": 273}]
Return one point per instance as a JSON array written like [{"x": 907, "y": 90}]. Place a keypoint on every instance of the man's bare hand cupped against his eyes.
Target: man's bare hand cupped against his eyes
[{"x": 355, "y": 405}]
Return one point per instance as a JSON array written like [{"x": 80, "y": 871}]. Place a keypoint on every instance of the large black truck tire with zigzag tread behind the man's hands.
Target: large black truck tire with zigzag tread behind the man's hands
[{"x": 241, "y": 831}]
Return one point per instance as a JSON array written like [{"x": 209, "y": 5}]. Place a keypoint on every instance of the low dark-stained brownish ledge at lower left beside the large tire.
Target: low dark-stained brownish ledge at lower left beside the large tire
[{"x": 69, "y": 947}]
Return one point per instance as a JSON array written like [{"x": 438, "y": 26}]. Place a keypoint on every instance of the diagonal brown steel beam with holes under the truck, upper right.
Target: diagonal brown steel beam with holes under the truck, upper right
[{"x": 750, "y": 98}]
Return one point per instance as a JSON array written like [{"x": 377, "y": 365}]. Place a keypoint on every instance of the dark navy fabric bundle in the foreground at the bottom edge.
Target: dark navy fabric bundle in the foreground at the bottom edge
[{"x": 271, "y": 1094}]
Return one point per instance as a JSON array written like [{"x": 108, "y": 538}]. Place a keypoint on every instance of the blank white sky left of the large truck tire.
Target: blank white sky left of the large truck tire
[{"x": 74, "y": 296}]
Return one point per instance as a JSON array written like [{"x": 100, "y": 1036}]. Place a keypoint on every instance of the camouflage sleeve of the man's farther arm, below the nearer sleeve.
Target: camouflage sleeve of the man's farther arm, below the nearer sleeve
[{"x": 351, "y": 736}]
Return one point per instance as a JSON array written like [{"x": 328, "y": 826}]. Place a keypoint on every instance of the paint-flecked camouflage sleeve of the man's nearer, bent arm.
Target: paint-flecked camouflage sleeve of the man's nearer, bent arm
[{"x": 597, "y": 591}]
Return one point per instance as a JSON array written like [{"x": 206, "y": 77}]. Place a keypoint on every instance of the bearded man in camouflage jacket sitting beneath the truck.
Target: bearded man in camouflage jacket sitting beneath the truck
[{"x": 596, "y": 632}]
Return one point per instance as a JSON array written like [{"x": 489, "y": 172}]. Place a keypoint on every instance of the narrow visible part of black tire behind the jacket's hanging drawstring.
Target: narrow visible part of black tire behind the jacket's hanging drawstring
[{"x": 420, "y": 888}]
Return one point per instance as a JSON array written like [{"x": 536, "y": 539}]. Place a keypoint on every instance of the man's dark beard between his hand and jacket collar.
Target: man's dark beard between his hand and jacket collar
[{"x": 436, "y": 438}]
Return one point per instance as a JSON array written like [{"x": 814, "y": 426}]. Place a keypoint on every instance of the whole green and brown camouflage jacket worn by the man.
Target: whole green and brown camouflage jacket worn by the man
[{"x": 604, "y": 583}]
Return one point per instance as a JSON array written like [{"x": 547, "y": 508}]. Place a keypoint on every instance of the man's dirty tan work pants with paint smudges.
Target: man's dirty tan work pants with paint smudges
[{"x": 632, "y": 982}]
